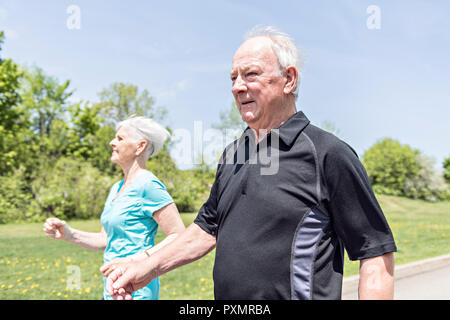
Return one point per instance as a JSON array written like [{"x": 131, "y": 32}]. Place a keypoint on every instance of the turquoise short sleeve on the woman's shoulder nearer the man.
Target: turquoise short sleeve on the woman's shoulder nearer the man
[{"x": 154, "y": 197}]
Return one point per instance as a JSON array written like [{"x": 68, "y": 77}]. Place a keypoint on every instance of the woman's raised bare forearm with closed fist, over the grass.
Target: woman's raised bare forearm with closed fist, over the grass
[{"x": 59, "y": 229}]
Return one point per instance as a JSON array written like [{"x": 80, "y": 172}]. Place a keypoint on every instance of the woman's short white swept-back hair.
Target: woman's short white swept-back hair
[{"x": 143, "y": 128}]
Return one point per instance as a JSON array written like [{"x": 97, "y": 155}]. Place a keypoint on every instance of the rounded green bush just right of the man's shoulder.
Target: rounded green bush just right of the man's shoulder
[{"x": 389, "y": 164}]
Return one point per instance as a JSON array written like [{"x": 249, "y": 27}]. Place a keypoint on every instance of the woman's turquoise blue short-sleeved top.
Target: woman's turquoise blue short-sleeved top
[{"x": 129, "y": 224}]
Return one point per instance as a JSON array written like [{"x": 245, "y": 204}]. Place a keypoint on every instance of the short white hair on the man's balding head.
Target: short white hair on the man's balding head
[{"x": 284, "y": 48}]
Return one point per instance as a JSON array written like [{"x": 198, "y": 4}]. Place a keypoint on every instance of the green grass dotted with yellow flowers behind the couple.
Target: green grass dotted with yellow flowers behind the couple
[{"x": 33, "y": 266}]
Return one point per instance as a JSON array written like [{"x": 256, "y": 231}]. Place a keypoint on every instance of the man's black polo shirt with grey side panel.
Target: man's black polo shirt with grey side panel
[{"x": 283, "y": 210}]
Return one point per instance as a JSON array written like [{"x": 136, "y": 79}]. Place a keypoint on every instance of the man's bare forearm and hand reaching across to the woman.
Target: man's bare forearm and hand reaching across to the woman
[{"x": 190, "y": 245}]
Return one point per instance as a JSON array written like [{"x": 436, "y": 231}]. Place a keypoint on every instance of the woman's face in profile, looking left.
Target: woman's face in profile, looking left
[{"x": 123, "y": 147}]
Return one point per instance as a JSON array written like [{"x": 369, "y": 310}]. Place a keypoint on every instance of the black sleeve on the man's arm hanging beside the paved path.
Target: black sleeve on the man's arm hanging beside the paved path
[{"x": 357, "y": 217}]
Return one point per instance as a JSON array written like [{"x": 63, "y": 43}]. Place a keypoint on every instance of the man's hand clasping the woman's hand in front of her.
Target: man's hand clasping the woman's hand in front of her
[{"x": 127, "y": 277}]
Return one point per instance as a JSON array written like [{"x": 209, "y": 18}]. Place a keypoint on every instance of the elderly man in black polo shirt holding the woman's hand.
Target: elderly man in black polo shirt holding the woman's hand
[{"x": 279, "y": 235}]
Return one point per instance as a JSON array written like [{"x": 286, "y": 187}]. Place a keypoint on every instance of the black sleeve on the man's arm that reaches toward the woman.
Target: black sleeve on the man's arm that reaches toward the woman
[{"x": 207, "y": 217}]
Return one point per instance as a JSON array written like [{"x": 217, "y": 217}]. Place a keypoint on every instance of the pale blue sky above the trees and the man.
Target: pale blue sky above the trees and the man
[{"x": 371, "y": 83}]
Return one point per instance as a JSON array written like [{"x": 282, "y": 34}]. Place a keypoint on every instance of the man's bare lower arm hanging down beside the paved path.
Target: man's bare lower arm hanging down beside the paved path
[{"x": 376, "y": 278}]
